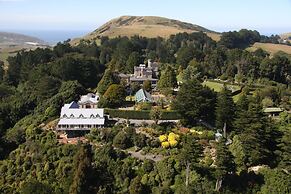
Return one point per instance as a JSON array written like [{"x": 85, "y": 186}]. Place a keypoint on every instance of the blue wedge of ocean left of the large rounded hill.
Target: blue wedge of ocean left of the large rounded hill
[{"x": 52, "y": 37}]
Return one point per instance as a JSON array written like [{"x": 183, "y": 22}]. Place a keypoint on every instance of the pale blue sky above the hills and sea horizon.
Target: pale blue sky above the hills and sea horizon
[{"x": 267, "y": 16}]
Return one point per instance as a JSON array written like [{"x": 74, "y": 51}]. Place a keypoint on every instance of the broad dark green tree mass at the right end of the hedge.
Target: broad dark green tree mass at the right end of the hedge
[{"x": 195, "y": 102}]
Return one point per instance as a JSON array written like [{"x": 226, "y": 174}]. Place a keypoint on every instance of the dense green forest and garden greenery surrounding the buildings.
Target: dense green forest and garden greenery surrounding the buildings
[{"x": 37, "y": 83}]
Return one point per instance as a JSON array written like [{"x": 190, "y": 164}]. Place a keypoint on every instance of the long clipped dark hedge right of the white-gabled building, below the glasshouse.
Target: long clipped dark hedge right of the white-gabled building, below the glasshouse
[{"x": 142, "y": 114}]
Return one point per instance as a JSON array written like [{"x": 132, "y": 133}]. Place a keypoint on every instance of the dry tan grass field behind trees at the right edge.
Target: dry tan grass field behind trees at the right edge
[{"x": 271, "y": 48}]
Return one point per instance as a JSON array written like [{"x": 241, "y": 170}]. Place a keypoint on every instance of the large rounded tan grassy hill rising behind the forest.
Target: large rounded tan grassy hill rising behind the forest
[{"x": 147, "y": 26}]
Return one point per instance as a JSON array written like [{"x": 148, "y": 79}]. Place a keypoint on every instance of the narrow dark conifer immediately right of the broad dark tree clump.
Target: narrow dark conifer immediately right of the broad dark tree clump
[{"x": 225, "y": 109}]
